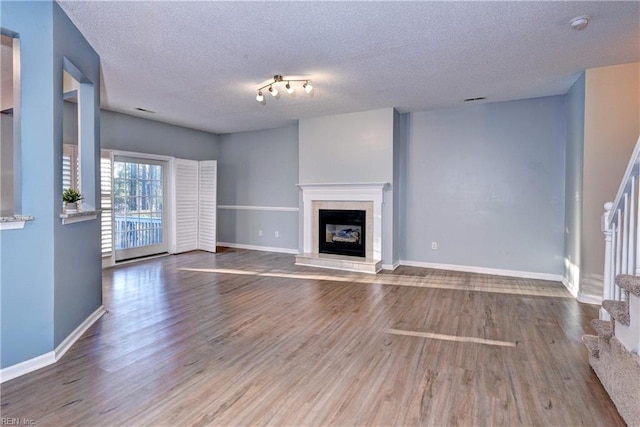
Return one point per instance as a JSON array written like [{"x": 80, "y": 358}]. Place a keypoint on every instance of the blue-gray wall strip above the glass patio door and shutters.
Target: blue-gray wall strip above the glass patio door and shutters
[{"x": 129, "y": 133}]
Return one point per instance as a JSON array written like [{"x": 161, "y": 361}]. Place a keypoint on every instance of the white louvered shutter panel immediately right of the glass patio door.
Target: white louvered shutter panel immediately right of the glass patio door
[{"x": 186, "y": 205}]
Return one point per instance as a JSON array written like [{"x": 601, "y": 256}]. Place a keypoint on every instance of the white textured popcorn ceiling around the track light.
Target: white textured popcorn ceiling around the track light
[{"x": 198, "y": 64}]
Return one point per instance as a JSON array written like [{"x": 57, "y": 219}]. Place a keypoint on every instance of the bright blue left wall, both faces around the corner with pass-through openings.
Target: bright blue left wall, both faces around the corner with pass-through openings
[{"x": 38, "y": 305}]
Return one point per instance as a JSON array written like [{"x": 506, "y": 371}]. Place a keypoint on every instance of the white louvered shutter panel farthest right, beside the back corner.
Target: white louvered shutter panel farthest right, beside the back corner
[{"x": 207, "y": 205}]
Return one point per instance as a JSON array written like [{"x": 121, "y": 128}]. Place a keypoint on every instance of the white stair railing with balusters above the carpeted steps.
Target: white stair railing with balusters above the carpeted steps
[{"x": 621, "y": 227}]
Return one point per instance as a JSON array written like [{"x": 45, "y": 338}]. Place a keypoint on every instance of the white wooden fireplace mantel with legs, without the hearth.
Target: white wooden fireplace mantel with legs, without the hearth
[{"x": 357, "y": 192}]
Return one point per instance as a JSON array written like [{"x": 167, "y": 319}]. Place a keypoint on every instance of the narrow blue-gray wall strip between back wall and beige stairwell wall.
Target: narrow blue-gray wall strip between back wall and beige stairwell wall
[{"x": 573, "y": 183}]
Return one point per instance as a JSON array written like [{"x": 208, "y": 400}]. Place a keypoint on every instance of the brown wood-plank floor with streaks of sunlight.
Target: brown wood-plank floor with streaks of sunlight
[{"x": 247, "y": 338}]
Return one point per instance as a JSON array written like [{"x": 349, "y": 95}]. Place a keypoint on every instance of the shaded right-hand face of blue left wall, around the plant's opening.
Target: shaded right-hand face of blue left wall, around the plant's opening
[{"x": 77, "y": 246}]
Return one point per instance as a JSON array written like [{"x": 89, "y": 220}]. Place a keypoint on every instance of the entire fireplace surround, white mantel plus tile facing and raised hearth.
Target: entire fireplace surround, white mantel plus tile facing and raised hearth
[{"x": 368, "y": 197}]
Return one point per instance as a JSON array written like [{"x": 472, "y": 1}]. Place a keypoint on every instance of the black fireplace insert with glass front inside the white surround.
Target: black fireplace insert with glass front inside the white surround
[{"x": 342, "y": 232}]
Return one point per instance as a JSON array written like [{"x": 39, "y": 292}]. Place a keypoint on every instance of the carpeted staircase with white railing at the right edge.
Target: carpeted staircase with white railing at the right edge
[{"x": 613, "y": 352}]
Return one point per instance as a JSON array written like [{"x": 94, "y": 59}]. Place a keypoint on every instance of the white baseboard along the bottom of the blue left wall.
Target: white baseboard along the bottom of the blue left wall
[{"x": 51, "y": 357}]
